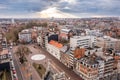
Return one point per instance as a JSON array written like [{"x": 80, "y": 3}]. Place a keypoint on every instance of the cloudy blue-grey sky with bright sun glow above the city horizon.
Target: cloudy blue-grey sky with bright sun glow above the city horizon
[{"x": 59, "y": 8}]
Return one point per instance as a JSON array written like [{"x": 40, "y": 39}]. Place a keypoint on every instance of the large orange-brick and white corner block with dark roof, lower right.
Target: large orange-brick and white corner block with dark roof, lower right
[{"x": 96, "y": 66}]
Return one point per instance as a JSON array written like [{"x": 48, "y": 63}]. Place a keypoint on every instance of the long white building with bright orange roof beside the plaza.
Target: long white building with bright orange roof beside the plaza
[{"x": 53, "y": 47}]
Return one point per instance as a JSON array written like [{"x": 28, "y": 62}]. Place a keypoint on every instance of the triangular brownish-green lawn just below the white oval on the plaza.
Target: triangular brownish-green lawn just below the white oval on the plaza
[{"x": 40, "y": 69}]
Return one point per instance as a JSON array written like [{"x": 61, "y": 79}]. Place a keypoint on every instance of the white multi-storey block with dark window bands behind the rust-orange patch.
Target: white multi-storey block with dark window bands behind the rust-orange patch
[{"x": 82, "y": 41}]
